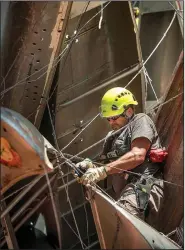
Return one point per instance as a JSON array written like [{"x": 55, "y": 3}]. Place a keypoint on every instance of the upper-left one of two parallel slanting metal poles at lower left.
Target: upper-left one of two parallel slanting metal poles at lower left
[{"x": 20, "y": 196}]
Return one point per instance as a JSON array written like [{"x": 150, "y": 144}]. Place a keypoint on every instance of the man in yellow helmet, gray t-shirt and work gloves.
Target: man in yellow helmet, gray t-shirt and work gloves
[{"x": 133, "y": 145}]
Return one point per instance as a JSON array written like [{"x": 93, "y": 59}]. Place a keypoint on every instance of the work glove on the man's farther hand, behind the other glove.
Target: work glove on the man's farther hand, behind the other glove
[{"x": 82, "y": 167}]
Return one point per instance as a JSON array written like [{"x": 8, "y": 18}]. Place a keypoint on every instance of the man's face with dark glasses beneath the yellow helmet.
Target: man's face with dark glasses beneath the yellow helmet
[{"x": 117, "y": 123}]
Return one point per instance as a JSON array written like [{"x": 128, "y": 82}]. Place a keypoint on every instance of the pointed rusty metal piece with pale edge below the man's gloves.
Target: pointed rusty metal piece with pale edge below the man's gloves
[{"x": 119, "y": 229}]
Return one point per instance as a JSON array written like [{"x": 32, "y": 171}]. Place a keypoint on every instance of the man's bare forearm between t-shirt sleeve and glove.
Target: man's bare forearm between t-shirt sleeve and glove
[{"x": 127, "y": 162}]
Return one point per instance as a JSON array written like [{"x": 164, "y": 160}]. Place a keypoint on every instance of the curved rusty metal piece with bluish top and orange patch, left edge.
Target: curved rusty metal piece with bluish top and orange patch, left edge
[{"x": 23, "y": 149}]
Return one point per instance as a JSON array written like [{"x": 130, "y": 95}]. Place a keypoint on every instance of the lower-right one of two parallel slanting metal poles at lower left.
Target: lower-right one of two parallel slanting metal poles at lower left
[{"x": 31, "y": 200}]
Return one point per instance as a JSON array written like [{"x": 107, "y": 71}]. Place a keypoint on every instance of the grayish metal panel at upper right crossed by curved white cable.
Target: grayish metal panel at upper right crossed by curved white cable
[{"x": 162, "y": 63}]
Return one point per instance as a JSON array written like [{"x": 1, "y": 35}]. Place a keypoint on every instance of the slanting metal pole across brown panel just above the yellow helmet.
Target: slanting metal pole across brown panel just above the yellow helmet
[{"x": 103, "y": 85}]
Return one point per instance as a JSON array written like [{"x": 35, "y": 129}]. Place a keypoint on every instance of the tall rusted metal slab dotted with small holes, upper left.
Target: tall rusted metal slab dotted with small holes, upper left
[{"x": 37, "y": 32}]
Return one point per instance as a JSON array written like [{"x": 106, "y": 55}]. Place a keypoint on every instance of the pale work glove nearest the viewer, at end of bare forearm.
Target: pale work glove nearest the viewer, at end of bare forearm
[{"x": 93, "y": 175}]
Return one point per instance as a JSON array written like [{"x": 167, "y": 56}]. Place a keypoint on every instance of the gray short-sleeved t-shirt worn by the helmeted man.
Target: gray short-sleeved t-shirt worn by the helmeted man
[{"x": 140, "y": 125}]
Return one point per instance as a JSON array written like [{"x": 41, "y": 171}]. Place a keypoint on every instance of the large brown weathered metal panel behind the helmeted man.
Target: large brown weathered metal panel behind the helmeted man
[{"x": 97, "y": 53}]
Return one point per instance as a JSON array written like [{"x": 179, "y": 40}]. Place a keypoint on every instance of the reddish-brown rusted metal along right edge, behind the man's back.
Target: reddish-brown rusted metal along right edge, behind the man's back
[{"x": 170, "y": 126}]
